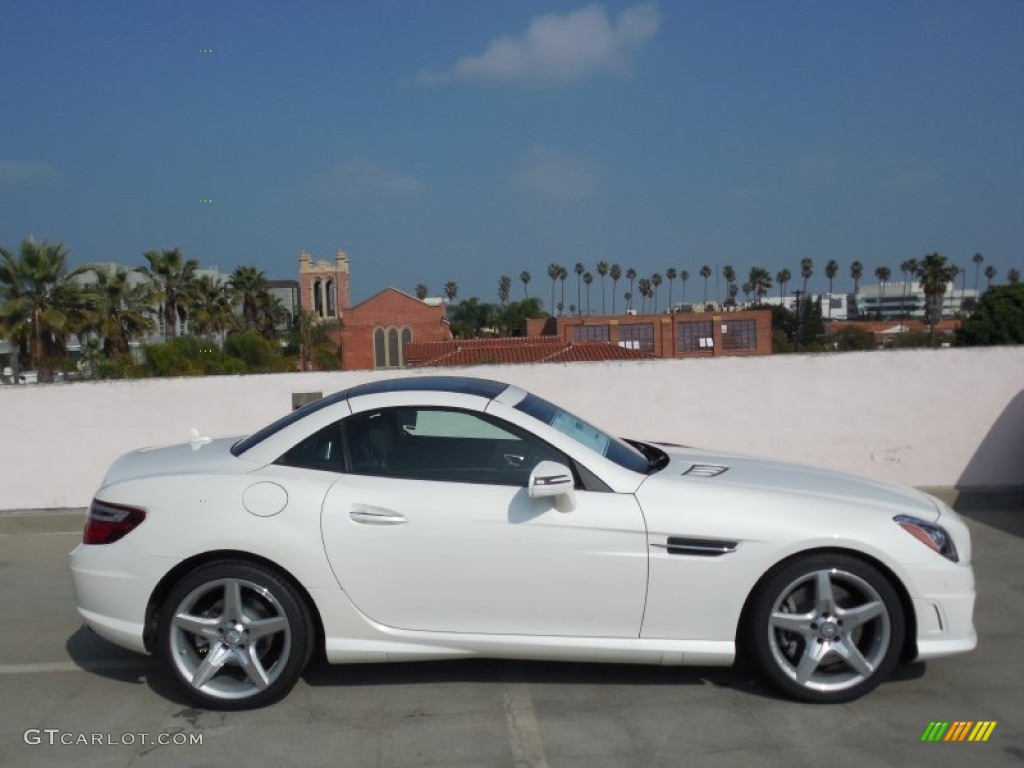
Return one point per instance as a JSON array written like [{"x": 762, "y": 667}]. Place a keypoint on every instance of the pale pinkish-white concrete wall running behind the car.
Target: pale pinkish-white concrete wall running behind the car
[{"x": 951, "y": 417}]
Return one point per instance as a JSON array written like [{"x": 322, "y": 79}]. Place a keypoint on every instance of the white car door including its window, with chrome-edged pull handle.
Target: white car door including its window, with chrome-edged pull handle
[{"x": 433, "y": 529}]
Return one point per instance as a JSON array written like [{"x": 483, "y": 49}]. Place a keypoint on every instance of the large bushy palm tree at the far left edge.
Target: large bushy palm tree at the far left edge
[{"x": 41, "y": 305}]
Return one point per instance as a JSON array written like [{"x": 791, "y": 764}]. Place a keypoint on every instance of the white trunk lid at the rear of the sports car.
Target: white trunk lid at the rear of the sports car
[{"x": 208, "y": 457}]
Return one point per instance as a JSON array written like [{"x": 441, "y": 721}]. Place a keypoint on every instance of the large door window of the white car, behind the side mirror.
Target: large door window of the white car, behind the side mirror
[{"x": 448, "y": 445}]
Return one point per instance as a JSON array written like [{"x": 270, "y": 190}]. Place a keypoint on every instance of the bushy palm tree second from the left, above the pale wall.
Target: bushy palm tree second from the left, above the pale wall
[{"x": 120, "y": 313}]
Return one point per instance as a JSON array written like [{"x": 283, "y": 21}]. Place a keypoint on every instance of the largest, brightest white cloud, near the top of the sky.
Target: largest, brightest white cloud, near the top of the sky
[{"x": 560, "y": 49}]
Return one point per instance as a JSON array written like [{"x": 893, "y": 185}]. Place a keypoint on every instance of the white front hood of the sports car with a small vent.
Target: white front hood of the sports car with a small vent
[{"x": 764, "y": 476}]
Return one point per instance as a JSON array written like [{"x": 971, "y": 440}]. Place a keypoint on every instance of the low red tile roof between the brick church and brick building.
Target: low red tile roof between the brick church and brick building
[{"x": 517, "y": 350}]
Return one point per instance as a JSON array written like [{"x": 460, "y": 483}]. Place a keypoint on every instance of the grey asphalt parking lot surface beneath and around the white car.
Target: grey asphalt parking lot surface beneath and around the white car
[{"x": 71, "y": 699}]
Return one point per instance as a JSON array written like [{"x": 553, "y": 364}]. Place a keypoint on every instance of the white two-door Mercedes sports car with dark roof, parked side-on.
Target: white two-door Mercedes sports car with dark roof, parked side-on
[{"x": 443, "y": 518}]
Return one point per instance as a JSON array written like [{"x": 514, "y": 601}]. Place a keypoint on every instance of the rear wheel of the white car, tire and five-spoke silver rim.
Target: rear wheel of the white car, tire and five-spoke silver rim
[{"x": 235, "y": 636}]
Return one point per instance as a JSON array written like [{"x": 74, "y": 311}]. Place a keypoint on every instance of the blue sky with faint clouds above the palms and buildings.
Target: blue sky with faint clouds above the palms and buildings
[{"x": 466, "y": 140}]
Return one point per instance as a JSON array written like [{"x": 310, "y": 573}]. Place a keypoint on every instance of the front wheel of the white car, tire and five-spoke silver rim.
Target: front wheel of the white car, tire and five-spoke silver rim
[{"x": 825, "y": 628}]
